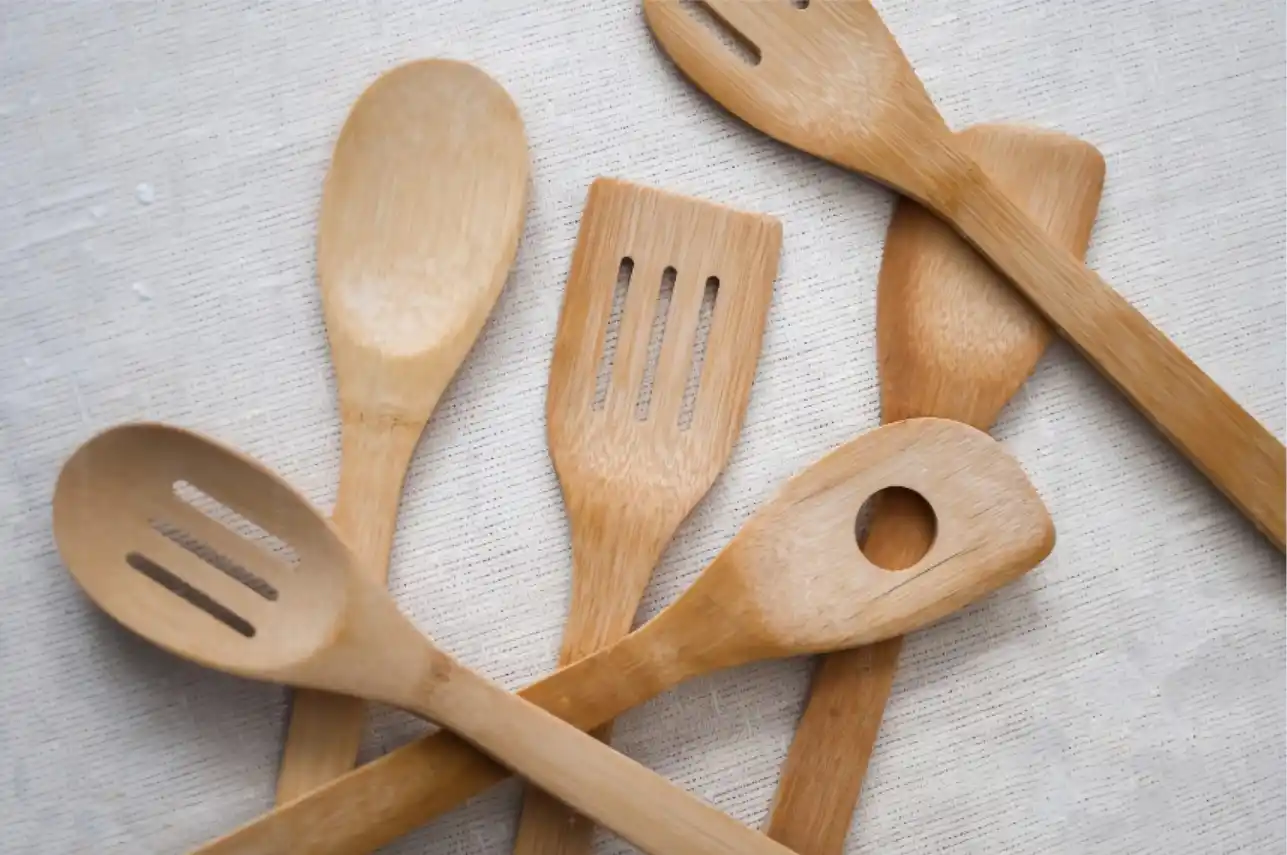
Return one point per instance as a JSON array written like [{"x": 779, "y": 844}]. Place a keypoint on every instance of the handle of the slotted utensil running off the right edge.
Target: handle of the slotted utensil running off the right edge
[{"x": 1235, "y": 451}]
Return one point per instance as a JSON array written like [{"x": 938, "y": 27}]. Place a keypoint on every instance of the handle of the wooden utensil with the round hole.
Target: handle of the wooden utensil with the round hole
[{"x": 384, "y": 800}]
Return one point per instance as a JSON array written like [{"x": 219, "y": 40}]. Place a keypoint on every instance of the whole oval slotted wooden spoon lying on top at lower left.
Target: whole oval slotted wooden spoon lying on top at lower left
[{"x": 185, "y": 581}]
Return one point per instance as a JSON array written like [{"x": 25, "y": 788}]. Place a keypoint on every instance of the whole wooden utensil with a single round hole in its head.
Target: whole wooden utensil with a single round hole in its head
[{"x": 792, "y": 583}]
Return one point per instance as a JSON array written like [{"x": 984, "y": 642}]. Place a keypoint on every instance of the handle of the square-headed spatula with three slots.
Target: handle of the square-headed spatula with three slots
[{"x": 612, "y": 566}]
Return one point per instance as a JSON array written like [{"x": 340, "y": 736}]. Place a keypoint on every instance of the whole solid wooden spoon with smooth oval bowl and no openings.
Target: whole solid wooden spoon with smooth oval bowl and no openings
[{"x": 421, "y": 216}]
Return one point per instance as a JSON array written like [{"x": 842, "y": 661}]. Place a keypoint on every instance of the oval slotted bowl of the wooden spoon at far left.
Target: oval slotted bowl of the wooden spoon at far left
[{"x": 134, "y": 544}]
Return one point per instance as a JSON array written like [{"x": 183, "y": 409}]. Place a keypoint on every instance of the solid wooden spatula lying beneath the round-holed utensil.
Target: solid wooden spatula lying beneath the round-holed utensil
[{"x": 956, "y": 342}]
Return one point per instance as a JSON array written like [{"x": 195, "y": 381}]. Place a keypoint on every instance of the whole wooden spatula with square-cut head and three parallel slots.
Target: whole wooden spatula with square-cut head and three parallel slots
[{"x": 635, "y": 462}]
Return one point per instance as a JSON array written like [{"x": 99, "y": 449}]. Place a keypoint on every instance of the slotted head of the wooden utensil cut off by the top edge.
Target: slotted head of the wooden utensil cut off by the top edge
[{"x": 855, "y": 101}]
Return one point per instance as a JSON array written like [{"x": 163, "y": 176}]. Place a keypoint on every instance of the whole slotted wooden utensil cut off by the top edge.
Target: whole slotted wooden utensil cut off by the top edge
[{"x": 828, "y": 78}]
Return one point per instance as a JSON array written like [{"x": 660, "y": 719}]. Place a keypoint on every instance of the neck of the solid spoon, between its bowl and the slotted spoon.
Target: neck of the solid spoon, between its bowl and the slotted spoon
[{"x": 375, "y": 454}]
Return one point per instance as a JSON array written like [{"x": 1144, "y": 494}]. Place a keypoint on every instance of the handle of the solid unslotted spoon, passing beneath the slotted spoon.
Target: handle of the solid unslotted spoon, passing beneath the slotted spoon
[{"x": 325, "y": 732}]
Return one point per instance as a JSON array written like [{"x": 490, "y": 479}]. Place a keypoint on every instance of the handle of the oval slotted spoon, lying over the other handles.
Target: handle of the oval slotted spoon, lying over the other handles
[{"x": 588, "y": 775}]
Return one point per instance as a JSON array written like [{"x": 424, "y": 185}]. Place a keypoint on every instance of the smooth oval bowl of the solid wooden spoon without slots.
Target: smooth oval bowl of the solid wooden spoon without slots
[{"x": 421, "y": 214}]
